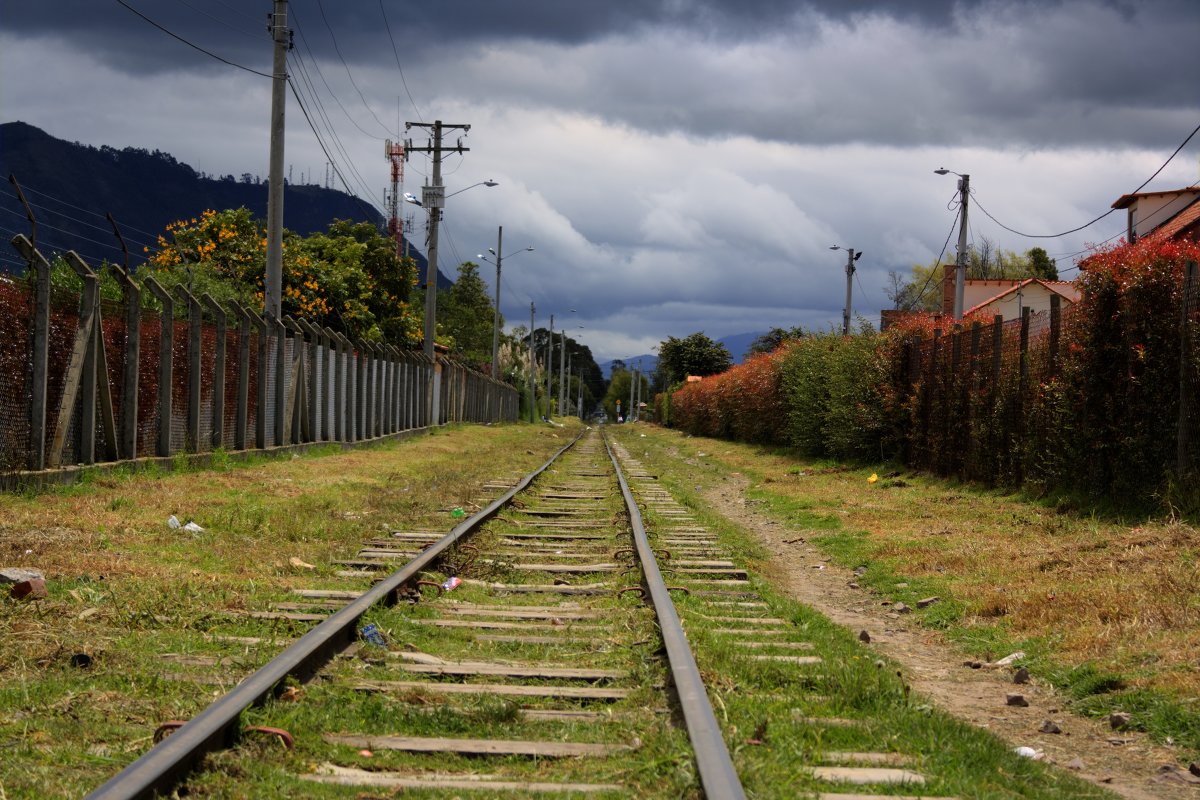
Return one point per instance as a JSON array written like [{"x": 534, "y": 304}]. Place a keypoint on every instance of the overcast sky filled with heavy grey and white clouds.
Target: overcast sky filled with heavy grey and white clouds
[{"x": 677, "y": 165}]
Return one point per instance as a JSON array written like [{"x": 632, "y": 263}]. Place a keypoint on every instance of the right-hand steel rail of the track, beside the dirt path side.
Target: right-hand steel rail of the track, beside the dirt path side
[{"x": 713, "y": 762}]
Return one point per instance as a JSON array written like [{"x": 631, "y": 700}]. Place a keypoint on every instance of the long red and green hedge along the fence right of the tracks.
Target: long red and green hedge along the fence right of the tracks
[{"x": 1096, "y": 399}]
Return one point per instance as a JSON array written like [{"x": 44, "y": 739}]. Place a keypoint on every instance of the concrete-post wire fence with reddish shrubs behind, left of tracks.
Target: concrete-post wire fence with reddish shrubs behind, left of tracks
[{"x": 83, "y": 381}]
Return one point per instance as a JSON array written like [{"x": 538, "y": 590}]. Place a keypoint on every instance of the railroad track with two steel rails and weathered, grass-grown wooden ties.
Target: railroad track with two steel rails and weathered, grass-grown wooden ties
[{"x": 535, "y": 649}]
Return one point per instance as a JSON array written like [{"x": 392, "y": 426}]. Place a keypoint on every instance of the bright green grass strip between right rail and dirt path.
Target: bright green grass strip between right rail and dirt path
[{"x": 771, "y": 712}]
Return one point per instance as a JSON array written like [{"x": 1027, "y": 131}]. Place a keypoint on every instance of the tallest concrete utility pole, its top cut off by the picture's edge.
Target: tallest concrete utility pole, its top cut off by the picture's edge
[{"x": 273, "y": 284}]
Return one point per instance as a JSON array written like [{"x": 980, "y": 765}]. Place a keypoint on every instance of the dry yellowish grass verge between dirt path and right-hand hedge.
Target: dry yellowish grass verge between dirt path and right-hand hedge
[{"x": 1106, "y": 610}]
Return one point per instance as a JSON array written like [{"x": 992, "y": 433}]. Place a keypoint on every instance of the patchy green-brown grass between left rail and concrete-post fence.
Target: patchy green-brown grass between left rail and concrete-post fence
[{"x": 140, "y": 601}]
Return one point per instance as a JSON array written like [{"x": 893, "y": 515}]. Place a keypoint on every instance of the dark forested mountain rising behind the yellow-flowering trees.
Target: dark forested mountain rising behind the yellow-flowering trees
[{"x": 73, "y": 187}]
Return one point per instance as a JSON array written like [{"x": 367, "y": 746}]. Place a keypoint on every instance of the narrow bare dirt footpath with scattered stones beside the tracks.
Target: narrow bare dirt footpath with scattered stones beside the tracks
[{"x": 1127, "y": 763}]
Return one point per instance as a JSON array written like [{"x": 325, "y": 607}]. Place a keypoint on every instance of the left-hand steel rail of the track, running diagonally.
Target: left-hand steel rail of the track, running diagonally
[{"x": 161, "y": 768}]
